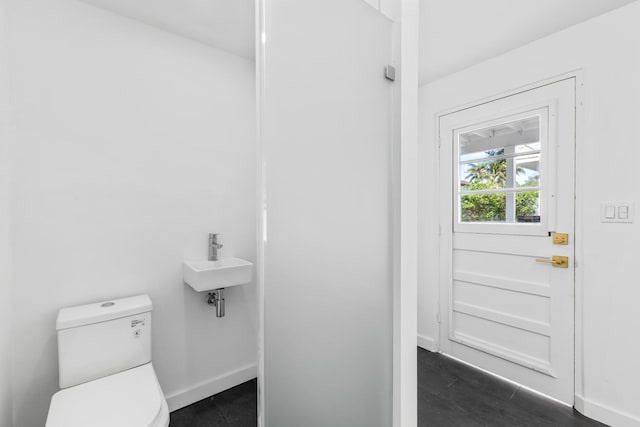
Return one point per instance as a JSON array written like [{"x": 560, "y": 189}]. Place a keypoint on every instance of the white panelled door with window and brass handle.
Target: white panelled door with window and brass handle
[{"x": 506, "y": 305}]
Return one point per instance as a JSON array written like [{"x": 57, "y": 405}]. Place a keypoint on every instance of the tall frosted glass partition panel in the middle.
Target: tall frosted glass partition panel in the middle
[{"x": 326, "y": 151}]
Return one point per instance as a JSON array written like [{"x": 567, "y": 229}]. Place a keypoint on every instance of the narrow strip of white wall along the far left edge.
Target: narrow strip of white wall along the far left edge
[{"x": 5, "y": 290}]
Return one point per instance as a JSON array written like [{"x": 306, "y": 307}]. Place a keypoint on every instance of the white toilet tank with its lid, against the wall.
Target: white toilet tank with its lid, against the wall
[{"x": 97, "y": 340}]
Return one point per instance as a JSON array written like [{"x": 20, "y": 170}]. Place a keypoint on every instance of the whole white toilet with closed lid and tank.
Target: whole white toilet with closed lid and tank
[{"x": 104, "y": 361}]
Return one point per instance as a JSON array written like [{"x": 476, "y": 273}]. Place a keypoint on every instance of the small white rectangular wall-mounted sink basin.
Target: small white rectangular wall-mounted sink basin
[{"x": 205, "y": 276}]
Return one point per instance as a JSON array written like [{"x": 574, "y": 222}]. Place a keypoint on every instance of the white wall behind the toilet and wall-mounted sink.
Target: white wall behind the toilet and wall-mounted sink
[{"x": 131, "y": 144}]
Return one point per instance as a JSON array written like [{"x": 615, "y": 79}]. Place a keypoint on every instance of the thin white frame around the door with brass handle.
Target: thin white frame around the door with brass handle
[{"x": 445, "y": 239}]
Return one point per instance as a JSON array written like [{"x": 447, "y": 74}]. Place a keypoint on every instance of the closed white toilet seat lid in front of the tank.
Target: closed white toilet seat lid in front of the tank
[{"x": 132, "y": 398}]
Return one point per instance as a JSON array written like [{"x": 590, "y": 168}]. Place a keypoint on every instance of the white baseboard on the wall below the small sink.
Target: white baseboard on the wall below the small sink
[{"x": 202, "y": 390}]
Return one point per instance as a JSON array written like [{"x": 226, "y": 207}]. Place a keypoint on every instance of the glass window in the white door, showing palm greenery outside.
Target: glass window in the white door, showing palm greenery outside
[{"x": 500, "y": 173}]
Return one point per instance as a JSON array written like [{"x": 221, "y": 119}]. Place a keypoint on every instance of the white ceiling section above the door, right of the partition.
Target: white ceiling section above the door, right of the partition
[{"x": 456, "y": 34}]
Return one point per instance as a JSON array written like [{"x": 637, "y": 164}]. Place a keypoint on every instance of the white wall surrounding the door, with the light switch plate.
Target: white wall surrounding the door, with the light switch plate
[{"x": 606, "y": 48}]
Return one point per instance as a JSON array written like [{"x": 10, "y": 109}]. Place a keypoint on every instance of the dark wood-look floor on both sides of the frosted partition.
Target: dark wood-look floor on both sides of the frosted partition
[{"x": 450, "y": 394}]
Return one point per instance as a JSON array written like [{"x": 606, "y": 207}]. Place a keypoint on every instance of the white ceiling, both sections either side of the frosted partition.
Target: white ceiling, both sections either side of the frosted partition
[{"x": 455, "y": 34}]
